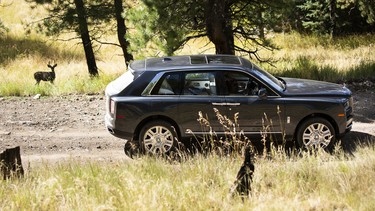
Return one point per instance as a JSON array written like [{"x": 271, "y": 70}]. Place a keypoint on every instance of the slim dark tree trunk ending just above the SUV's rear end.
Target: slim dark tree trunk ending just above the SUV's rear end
[{"x": 121, "y": 31}]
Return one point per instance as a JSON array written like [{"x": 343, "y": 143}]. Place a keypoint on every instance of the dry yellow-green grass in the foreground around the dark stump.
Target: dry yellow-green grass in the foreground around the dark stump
[{"x": 323, "y": 182}]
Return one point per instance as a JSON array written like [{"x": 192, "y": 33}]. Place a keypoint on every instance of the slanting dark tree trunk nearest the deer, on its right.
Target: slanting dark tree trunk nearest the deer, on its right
[{"x": 85, "y": 36}]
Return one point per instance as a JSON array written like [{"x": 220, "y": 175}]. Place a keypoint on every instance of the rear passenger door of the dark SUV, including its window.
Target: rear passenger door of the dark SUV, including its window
[{"x": 198, "y": 102}]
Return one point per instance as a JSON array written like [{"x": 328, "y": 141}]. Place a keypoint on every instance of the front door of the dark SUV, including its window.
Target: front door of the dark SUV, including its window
[{"x": 256, "y": 115}]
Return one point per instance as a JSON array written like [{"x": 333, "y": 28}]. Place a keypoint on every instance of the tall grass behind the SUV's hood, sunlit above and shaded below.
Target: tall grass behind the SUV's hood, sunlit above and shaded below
[{"x": 341, "y": 59}]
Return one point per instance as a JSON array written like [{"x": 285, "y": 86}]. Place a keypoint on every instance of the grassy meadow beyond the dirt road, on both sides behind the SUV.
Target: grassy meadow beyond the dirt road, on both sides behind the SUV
[{"x": 349, "y": 59}]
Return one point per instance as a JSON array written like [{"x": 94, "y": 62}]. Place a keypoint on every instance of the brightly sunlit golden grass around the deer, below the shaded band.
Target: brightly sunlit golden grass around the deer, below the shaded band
[{"x": 70, "y": 78}]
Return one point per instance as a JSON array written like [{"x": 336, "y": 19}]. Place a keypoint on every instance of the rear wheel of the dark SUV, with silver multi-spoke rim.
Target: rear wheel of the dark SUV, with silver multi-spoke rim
[{"x": 158, "y": 138}]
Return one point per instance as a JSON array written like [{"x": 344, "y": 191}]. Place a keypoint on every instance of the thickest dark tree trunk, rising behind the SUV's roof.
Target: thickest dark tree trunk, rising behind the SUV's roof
[{"x": 219, "y": 26}]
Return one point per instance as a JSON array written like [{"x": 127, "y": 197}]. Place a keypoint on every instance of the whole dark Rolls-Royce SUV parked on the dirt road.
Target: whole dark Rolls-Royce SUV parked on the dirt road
[{"x": 155, "y": 104}]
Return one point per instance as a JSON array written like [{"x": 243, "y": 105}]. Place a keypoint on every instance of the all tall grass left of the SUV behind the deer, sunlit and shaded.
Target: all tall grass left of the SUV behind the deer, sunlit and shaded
[{"x": 23, "y": 53}]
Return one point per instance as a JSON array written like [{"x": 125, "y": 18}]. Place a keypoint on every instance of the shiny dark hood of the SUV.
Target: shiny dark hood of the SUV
[{"x": 304, "y": 87}]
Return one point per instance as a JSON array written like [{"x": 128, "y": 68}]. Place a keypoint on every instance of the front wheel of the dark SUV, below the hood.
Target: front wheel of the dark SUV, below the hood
[{"x": 316, "y": 133}]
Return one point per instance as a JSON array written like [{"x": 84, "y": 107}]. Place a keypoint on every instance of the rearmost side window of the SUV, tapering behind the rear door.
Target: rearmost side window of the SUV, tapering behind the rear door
[{"x": 168, "y": 85}]
